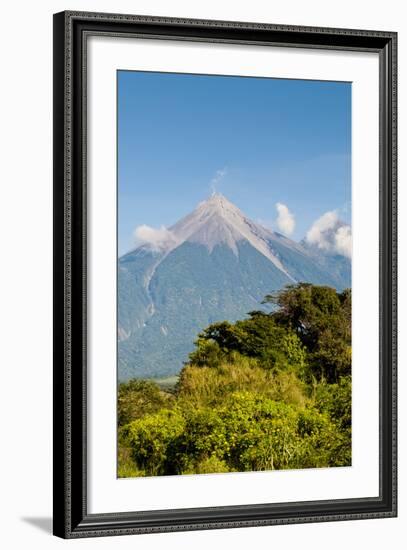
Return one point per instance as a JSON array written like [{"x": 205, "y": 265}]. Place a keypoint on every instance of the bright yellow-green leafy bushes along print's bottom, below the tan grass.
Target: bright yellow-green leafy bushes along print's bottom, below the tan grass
[{"x": 247, "y": 432}]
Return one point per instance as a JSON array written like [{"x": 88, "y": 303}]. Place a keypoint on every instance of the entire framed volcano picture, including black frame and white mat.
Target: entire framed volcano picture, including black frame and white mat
[{"x": 225, "y": 282}]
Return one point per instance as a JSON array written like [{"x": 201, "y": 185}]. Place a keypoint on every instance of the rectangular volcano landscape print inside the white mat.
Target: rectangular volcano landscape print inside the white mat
[{"x": 234, "y": 274}]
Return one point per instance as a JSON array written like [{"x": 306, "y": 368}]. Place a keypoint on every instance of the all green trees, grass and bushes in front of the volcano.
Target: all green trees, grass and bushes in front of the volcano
[{"x": 272, "y": 391}]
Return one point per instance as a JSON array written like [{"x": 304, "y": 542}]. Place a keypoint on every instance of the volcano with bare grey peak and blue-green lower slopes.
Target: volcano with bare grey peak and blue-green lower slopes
[{"x": 212, "y": 265}]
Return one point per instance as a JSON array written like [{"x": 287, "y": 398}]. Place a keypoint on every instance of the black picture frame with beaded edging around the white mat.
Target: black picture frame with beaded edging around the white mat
[{"x": 72, "y": 518}]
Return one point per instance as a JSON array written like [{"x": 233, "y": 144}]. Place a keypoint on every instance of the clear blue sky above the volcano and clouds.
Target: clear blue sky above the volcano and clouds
[{"x": 262, "y": 140}]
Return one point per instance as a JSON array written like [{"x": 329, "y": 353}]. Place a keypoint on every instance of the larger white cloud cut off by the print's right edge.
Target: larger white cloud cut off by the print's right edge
[{"x": 331, "y": 235}]
